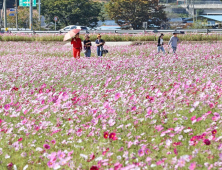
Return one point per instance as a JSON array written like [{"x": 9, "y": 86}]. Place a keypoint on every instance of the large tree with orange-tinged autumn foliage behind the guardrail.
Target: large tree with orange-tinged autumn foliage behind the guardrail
[{"x": 135, "y": 12}]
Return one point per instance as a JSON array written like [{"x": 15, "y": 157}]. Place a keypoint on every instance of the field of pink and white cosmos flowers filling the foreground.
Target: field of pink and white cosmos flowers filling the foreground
[{"x": 131, "y": 109}]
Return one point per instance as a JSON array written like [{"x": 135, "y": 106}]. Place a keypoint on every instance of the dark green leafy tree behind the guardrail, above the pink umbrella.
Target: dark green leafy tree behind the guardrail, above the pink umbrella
[{"x": 72, "y": 12}]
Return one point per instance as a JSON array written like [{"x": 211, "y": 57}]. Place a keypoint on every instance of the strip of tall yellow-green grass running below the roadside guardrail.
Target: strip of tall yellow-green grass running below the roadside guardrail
[{"x": 112, "y": 37}]
